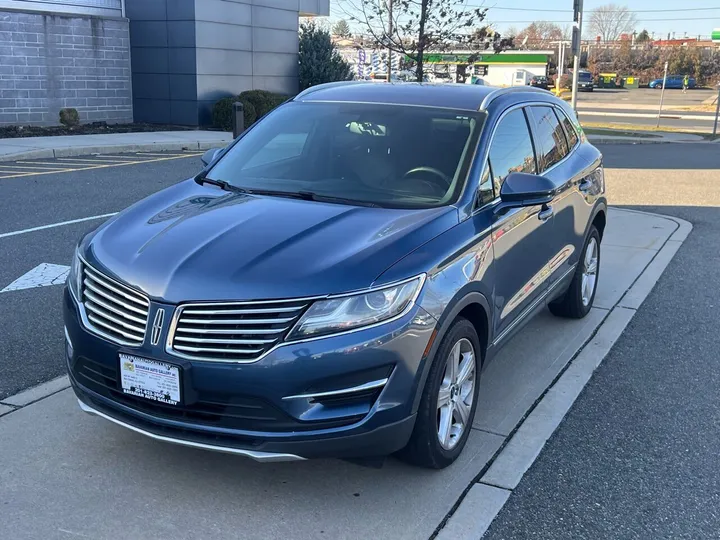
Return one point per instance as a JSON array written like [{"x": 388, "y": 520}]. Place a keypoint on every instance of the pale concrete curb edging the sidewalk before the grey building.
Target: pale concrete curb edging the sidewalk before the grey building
[{"x": 72, "y": 151}]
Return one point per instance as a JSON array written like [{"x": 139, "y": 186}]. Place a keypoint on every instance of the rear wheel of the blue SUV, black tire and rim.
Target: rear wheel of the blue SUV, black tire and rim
[{"x": 578, "y": 299}]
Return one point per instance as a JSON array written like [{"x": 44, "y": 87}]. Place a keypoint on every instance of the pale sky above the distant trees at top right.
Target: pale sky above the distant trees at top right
[{"x": 660, "y": 22}]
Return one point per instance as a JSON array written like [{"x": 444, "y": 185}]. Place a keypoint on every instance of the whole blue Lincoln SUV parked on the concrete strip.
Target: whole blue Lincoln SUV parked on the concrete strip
[{"x": 333, "y": 283}]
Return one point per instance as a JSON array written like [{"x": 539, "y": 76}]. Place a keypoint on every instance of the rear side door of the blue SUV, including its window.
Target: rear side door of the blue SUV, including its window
[{"x": 569, "y": 212}]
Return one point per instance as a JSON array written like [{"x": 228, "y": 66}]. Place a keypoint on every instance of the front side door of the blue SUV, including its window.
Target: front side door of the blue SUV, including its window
[{"x": 522, "y": 237}]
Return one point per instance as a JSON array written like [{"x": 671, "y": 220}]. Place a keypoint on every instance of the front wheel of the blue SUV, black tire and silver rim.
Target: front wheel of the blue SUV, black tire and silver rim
[{"x": 425, "y": 448}]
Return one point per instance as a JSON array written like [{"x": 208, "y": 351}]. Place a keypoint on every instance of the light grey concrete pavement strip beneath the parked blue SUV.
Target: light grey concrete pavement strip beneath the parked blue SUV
[{"x": 64, "y": 474}]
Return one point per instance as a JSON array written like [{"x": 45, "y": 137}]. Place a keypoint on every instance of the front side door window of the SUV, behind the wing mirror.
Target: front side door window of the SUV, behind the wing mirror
[{"x": 511, "y": 150}]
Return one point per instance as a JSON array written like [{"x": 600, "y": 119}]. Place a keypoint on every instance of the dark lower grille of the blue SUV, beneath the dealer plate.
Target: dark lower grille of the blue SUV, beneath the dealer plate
[{"x": 246, "y": 413}]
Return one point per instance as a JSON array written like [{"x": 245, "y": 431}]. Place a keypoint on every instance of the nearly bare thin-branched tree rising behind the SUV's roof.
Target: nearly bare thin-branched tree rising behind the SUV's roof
[{"x": 418, "y": 26}]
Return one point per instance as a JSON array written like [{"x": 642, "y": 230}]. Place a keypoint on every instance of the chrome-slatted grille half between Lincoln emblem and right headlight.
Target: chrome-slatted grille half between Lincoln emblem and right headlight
[{"x": 238, "y": 332}]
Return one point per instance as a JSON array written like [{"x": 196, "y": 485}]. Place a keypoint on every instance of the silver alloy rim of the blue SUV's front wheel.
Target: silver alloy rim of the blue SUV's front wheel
[{"x": 456, "y": 394}]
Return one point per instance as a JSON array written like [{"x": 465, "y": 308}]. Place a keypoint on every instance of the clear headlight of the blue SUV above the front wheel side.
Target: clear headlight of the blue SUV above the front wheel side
[{"x": 349, "y": 312}]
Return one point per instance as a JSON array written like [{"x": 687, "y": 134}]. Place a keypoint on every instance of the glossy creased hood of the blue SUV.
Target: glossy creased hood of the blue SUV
[{"x": 192, "y": 242}]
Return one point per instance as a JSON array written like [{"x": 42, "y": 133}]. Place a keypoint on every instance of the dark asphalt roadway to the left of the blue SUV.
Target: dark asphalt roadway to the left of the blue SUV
[{"x": 52, "y": 192}]
